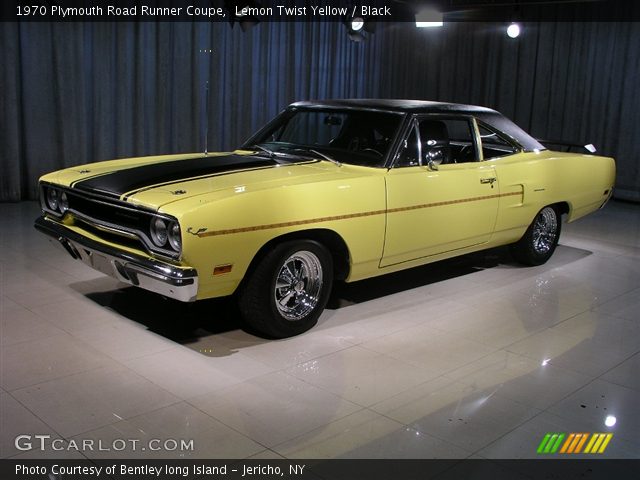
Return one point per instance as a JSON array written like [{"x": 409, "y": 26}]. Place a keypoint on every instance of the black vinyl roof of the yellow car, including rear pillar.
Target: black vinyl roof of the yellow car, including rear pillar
[{"x": 487, "y": 115}]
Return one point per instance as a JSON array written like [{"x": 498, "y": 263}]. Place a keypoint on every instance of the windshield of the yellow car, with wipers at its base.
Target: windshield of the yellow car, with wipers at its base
[{"x": 343, "y": 136}]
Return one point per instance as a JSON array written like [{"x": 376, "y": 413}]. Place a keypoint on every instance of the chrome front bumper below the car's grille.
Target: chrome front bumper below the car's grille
[{"x": 179, "y": 283}]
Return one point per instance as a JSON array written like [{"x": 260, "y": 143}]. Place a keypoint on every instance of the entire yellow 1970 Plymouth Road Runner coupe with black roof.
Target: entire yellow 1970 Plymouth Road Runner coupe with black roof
[{"x": 343, "y": 189}]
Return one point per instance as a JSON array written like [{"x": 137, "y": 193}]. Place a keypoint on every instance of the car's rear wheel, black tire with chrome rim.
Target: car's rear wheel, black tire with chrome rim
[{"x": 541, "y": 238}]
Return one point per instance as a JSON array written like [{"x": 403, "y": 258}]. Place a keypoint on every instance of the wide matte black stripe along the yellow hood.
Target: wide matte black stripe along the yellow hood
[{"x": 133, "y": 179}]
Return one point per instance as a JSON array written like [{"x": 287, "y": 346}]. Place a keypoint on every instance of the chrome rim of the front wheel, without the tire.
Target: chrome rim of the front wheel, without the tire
[{"x": 298, "y": 285}]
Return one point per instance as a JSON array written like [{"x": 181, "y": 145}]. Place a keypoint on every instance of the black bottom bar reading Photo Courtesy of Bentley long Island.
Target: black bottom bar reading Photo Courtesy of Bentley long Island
[{"x": 592, "y": 469}]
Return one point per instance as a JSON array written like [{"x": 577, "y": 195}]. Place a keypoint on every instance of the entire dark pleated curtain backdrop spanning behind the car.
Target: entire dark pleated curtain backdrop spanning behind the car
[{"x": 79, "y": 92}]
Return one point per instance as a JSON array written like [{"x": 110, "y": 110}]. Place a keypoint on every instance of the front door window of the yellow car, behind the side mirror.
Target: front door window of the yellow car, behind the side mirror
[{"x": 447, "y": 140}]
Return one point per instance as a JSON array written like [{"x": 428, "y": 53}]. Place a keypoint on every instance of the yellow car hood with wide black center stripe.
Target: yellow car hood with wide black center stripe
[{"x": 154, "y": 182}]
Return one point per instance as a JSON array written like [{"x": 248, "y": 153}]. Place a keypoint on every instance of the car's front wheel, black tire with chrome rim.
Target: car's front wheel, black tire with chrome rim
[{"x": 288, "y": 290}]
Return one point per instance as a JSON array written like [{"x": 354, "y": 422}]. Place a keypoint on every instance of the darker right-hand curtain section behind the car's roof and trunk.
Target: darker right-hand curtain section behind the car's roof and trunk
[{"x": 571, "y": 81}]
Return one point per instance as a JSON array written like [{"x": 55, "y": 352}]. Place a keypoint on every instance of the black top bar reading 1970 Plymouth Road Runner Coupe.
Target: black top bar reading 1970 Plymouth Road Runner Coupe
[{"x": 232, "y": 11}]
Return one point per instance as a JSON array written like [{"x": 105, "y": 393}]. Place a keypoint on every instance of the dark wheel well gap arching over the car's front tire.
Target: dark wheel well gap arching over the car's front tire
[{"x": 328, "y": 238}]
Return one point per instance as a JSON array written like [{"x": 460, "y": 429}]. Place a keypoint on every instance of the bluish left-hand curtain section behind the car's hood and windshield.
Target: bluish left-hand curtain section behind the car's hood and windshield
[{"x": 80, "y": 92}]
